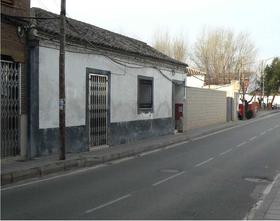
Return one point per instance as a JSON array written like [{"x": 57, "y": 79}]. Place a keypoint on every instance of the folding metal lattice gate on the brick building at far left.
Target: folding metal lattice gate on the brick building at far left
[{"x": 10, "y": 108}]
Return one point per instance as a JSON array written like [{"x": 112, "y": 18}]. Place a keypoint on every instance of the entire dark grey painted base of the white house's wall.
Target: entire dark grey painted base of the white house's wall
[{"x": 120, "y": 133}]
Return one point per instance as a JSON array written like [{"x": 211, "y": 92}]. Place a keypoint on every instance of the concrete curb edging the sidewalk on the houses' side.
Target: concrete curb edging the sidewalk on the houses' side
[{"x": 80, "y": 162}]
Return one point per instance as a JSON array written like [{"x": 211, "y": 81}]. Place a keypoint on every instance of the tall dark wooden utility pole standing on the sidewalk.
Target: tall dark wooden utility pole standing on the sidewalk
[{"x": 62, "y": 81}]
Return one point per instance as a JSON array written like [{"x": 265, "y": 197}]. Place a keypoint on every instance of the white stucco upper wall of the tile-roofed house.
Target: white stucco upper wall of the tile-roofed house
[{"x": 123, "y": 90}]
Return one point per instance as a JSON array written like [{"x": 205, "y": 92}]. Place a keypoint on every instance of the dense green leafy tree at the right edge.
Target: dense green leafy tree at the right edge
[{"x": 272, "y": 78}]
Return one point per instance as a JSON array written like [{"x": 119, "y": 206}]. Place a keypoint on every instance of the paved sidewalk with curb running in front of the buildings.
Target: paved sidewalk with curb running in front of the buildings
[{"x": 16, "y": 170}]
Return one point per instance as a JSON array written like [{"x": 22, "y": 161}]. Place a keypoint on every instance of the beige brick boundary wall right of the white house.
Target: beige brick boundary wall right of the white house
[{"x": 204, "y": 107}]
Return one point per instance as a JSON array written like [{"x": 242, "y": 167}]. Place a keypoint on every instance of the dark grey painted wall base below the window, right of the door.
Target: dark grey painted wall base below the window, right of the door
[{"x": 126, "y": 132}]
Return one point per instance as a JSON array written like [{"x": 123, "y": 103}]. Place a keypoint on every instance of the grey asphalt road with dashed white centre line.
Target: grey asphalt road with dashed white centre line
[{"x": 219, "y": 176}]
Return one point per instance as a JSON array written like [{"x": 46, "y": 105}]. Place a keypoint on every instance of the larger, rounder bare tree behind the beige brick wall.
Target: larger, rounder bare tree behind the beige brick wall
[{"x": 223, "y": 55}]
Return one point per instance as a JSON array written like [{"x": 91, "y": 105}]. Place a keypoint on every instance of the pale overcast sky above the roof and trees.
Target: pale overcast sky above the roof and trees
[{"x": 141, "y": 19}]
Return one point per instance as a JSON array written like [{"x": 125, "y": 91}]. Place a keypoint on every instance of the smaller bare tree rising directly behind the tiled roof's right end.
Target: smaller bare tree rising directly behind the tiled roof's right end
[{"x": 173, "y": 47}]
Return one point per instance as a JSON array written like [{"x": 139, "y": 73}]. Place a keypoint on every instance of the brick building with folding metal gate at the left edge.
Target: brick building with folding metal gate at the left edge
[{"x": 14, "y": 26}]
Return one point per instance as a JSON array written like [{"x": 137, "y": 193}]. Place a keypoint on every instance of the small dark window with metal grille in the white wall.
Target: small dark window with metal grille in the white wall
[{"x": 145, "y": 94}]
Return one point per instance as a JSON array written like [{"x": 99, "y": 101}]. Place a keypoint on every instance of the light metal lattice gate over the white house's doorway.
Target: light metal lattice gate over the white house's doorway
[{"x": 98, "y": 110}]
